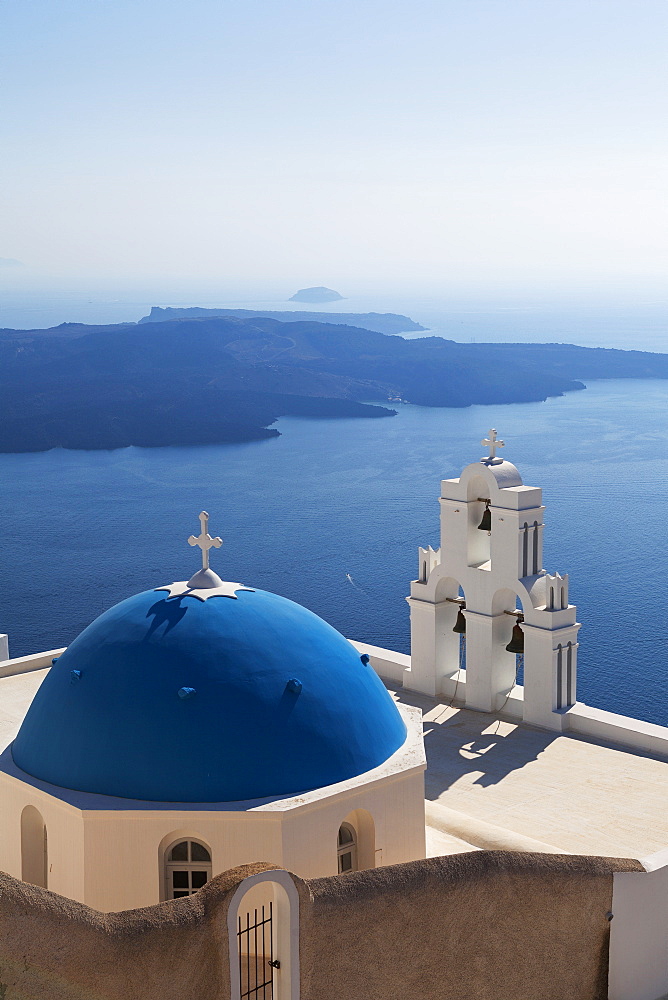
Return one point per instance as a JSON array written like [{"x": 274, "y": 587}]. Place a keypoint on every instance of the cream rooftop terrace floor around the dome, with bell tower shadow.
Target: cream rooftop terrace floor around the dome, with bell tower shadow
[{"x": 492, "y": 783}]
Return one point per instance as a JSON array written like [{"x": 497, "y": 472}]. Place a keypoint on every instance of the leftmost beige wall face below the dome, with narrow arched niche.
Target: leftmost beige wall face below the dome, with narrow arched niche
[{"x": 64, "y": 836}]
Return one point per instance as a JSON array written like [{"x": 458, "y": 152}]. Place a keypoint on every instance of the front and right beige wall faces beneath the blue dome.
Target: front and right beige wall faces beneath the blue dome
[{"x": 124, "y": 851}]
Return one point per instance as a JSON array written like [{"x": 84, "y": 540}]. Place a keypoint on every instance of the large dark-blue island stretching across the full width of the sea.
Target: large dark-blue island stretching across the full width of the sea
[{"x": 211, "y": 379}]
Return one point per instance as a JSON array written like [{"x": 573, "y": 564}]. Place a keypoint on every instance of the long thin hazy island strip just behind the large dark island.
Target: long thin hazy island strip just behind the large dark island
[{"x": 381, "y": 322}]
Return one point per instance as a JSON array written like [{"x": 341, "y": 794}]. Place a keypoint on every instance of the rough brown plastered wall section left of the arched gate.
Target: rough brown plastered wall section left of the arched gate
[{"x": 52, "y": 948}]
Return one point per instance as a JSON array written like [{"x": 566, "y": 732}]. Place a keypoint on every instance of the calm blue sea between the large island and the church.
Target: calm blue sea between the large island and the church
[{"x": 82, "y": 530}]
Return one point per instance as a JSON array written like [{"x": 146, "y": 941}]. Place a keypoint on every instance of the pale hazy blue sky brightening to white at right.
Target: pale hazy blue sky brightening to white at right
[{"x": 436, "y": 144}]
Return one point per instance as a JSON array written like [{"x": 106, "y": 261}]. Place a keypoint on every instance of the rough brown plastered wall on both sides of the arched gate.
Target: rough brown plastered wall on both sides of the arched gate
[{"x": 484, "y": 925}]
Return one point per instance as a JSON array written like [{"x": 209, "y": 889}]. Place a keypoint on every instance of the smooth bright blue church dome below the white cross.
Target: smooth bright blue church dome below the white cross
[{"x": 181, "y": 700}]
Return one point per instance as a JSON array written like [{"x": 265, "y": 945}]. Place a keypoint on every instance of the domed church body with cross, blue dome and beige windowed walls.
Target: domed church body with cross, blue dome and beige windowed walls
[{"x": 200, "y": 726}]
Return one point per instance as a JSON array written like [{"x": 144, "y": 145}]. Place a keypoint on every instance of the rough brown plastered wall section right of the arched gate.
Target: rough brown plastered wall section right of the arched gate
[{"x": 488, "y": 925}]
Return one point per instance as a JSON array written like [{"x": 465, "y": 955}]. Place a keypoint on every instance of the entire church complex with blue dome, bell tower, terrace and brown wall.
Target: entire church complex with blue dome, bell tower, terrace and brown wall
[{"x": 266, "y": 809}]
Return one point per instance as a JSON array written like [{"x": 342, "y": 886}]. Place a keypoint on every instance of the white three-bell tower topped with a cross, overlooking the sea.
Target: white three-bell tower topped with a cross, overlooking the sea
[{"x": 495, "y": 575}]
